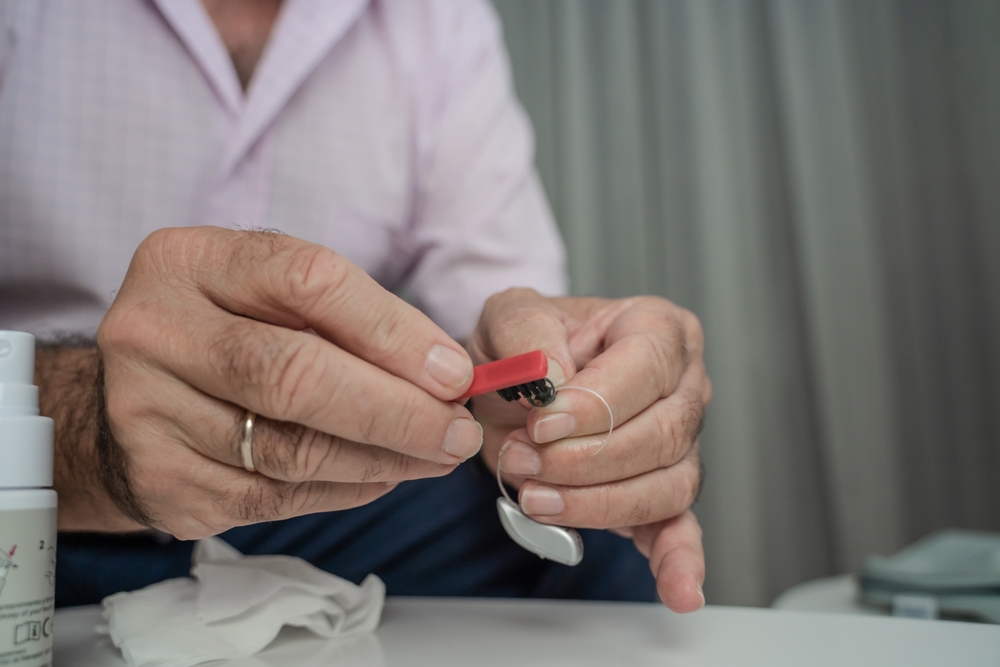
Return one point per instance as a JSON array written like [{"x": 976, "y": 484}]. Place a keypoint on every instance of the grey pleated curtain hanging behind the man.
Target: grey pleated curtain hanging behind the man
[{"x": 820, "y": 182}]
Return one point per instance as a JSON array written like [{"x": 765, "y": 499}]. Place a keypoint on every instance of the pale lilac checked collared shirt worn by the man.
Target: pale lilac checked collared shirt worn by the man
[{"x": 387, "y": 130}]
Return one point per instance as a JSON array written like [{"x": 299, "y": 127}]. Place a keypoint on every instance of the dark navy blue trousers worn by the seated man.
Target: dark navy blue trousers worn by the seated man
[{"x": 436, "y": 537}]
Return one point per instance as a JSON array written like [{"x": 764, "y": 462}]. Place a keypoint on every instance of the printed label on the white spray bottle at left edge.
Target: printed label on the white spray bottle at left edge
[{"x": 27, "y": 586}]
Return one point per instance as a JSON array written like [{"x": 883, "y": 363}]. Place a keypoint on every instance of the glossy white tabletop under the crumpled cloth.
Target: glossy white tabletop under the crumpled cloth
[{"x": 442, "y": 632}]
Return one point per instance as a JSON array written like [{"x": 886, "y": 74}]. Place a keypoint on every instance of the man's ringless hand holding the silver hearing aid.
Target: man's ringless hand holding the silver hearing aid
[{"x": 644, "y": 356}]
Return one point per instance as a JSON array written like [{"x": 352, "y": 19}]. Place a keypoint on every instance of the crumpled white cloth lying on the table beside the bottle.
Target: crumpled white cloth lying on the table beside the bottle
[{"x": 235, "y": 606}]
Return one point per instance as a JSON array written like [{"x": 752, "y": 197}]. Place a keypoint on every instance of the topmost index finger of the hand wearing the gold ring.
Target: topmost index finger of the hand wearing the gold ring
[{"x": 285, "y": 281}]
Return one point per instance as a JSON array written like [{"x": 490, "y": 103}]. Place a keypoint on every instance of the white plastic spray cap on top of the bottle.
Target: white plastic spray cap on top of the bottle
[{"x": 26, "y": 438}]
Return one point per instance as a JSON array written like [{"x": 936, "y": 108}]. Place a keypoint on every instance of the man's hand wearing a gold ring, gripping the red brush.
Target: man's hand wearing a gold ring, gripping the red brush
[{"x": 352, "y": 386}]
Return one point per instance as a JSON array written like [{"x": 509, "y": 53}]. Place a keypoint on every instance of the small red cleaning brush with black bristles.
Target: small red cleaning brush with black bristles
[{"x": 514, "y": 377}]
